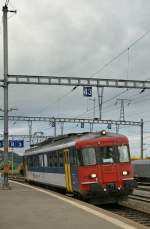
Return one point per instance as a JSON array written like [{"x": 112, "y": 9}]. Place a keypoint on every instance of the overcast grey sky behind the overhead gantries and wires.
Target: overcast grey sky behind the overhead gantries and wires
[{"x": 77, "y": 38}]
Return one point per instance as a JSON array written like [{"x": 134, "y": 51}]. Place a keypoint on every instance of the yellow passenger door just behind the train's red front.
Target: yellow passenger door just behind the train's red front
[{"x": 67, "y": 171}]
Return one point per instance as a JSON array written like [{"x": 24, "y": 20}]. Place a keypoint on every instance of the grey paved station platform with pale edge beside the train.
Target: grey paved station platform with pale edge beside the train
[{"x": 30, "y": 207}]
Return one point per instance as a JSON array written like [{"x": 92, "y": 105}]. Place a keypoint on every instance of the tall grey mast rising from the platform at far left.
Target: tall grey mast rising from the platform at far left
[{"x": 5, "y": 47}]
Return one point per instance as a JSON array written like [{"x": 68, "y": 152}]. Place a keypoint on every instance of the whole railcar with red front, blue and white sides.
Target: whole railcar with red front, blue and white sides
[{"x": 95, "y": 166}]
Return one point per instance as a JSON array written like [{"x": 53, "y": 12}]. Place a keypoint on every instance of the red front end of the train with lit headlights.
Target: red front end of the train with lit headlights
[{"x": 105, "y": 171}]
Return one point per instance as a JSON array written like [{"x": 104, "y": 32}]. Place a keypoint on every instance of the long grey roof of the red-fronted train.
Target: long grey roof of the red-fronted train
[{"x": 67, "y": 140}]
